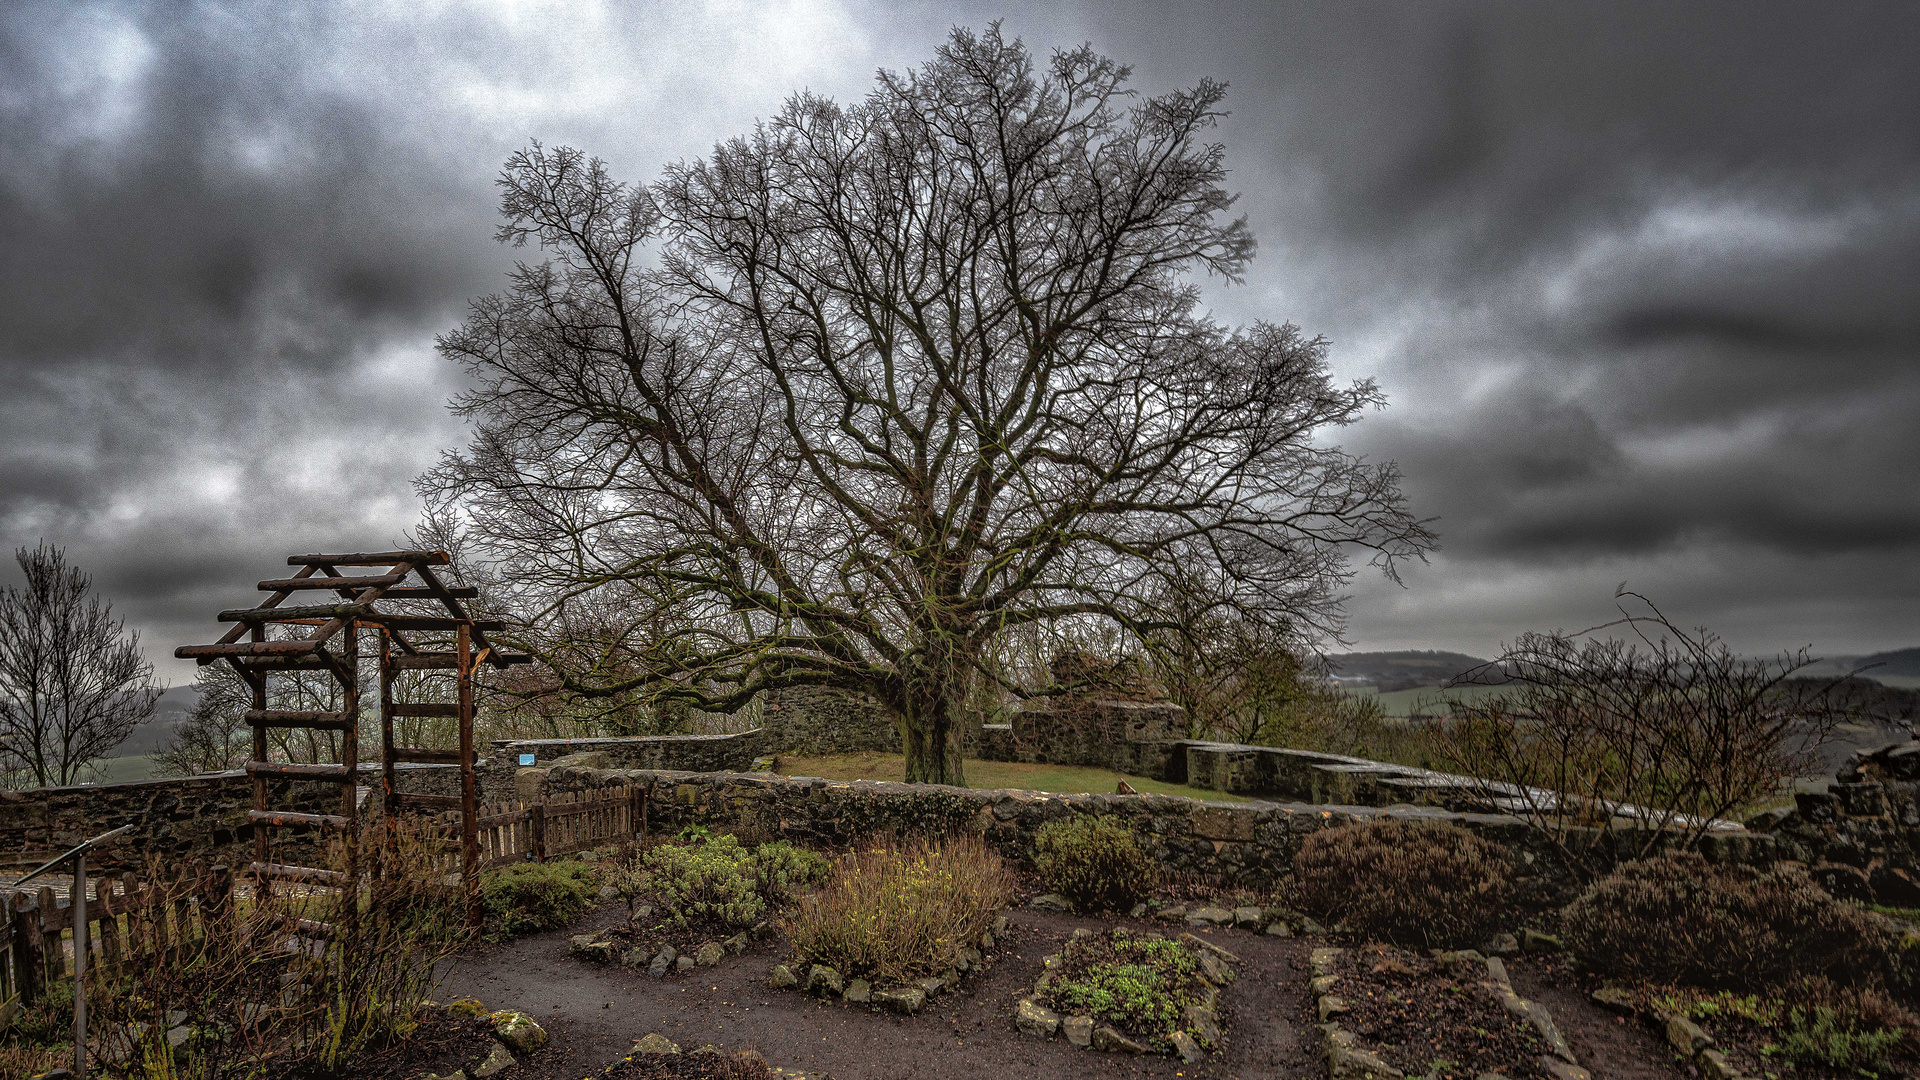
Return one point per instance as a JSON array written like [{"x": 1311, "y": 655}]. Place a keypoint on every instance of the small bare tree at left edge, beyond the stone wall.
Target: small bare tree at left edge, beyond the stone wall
[{"x": 72, "y": 677}]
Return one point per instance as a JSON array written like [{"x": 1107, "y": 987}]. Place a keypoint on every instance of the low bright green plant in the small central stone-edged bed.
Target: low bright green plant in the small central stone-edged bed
[{"x": 1138, "y": 985}]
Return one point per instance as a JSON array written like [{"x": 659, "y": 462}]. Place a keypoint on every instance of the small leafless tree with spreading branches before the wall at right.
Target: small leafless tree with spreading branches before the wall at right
[{"x": 1664, "y": 733}]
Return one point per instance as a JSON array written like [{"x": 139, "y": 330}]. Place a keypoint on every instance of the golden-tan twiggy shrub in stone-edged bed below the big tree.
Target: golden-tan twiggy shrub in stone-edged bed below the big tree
[{"x": 901, "y": 912}]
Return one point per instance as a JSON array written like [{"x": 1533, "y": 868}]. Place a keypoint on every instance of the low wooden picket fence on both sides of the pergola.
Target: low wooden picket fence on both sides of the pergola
[{"x": 139, "y": 921}]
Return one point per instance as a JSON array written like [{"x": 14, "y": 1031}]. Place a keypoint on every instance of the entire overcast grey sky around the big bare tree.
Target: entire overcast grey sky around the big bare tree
[{"x": 1643, "y": 283}]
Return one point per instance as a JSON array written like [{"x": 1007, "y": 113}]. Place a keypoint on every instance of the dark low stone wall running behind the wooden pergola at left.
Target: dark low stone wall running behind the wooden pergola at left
[{"x": 180, "y": 818}]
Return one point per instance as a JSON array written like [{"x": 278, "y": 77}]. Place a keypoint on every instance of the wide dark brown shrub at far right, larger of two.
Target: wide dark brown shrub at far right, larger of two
[{"x": 1683, "y": 920}]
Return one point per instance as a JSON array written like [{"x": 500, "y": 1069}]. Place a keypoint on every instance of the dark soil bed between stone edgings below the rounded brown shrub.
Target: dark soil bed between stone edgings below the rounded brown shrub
[{"x": 1431, "y": 1019}]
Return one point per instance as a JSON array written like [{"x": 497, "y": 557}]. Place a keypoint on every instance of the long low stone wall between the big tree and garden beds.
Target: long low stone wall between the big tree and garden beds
[{"x": 1247, "y": 843}]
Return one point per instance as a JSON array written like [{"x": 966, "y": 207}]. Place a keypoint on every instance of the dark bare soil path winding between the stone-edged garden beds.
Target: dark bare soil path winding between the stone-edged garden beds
[{"x": 594, "y": 1014}]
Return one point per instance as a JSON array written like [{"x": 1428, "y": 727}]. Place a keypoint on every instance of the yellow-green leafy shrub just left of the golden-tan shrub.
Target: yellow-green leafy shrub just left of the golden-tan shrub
[{"x": 715, "y": 879}]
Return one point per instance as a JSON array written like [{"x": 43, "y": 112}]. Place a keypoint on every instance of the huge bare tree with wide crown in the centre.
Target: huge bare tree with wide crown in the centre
[{"x": 900, "y": 378}]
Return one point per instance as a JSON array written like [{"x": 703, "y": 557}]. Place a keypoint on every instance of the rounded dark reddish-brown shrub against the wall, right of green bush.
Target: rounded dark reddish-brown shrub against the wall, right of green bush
[{"x": 1414, "y": 883}]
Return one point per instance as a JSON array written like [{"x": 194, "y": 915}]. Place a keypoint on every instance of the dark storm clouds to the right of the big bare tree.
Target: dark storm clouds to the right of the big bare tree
[{"x": 1643, "y": 283}]
